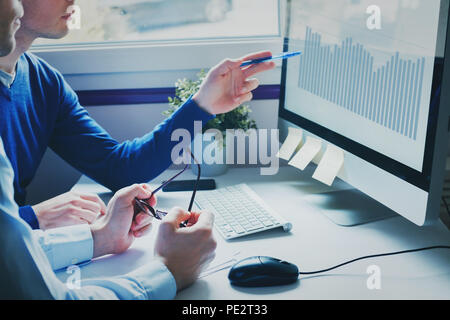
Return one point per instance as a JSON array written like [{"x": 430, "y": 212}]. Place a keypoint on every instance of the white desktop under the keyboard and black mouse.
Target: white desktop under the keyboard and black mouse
[{"x": 314, "y": 243}]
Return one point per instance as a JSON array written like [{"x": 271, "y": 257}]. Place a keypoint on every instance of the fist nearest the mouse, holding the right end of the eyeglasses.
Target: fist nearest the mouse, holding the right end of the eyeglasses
[{"x": 185, "y": 251}]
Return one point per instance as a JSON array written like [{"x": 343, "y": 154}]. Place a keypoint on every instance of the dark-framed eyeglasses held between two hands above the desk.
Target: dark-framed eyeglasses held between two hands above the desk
[{"x": 144, "y": 206}]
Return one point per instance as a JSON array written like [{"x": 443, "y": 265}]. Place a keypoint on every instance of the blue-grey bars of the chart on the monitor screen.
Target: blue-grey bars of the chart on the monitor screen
[{"x": 346, "y": 75}]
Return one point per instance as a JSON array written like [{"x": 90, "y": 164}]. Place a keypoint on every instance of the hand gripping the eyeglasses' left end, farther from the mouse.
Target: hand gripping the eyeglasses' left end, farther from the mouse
[{"x": 116, "y": 230}]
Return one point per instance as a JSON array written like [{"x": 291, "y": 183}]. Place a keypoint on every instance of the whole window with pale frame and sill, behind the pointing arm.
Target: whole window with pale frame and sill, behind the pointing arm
[{"x": 116, "y": 44}]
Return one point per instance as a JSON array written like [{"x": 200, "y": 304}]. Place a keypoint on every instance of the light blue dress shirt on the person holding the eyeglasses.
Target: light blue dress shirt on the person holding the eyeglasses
[{"x": 25, "y": 271}]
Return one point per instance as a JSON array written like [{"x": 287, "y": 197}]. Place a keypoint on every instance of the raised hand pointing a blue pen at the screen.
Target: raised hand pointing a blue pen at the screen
[{"x": 227, "y": 85}]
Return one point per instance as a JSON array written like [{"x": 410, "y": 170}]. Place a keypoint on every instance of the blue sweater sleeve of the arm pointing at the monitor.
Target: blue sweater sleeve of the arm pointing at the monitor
[{"x": 84, "y": 144}]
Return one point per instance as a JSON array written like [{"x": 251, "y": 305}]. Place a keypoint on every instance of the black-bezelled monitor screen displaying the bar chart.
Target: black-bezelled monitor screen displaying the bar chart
[{"x": 369, "y": 78}]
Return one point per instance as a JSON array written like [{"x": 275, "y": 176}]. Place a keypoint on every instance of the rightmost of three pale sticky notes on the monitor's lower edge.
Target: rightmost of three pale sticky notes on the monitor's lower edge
[{"x": 329, "y": 166}]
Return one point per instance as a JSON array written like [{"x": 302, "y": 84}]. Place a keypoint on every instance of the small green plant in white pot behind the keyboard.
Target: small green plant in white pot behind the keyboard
[{"x": 236, "y": 119}]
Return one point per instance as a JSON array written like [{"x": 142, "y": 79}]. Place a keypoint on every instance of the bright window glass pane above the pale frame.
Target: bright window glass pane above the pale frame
[{"x": 111, "y": 21}]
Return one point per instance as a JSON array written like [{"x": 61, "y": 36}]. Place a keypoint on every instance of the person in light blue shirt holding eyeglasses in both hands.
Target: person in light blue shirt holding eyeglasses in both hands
[{"x": 25, "y": 272}]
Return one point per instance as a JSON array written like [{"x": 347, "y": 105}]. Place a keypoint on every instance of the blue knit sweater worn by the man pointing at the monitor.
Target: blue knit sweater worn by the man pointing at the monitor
[{"x": 41, "y": 110}]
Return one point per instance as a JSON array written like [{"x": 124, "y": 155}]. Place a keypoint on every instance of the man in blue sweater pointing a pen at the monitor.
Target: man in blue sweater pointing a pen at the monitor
[{"x": 40, "y": 110}]
